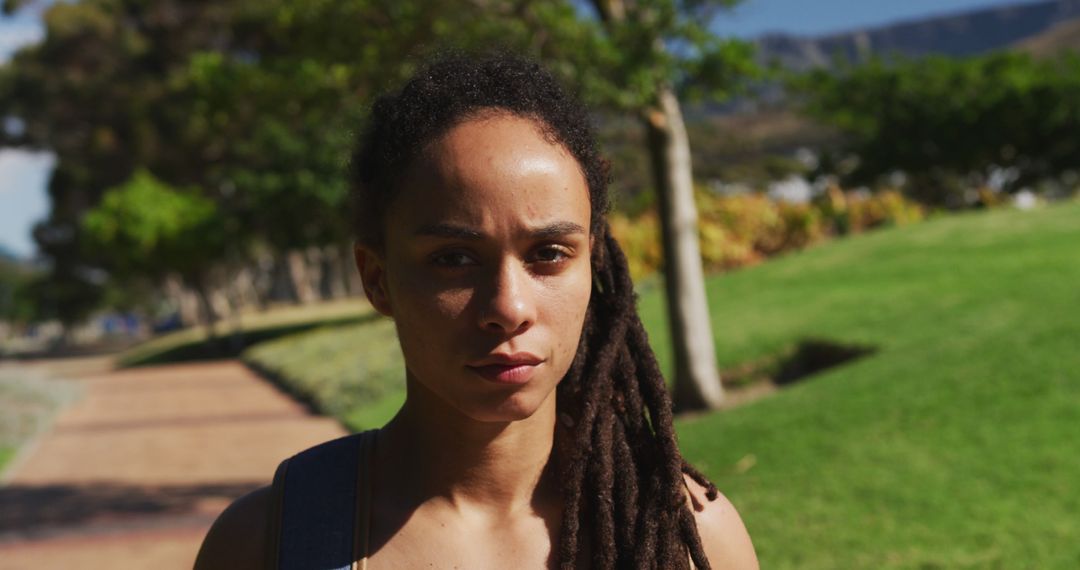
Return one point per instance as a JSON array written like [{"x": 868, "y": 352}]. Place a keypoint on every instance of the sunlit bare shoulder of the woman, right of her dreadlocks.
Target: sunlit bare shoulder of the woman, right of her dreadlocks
[{"x": 723, "y": 534}]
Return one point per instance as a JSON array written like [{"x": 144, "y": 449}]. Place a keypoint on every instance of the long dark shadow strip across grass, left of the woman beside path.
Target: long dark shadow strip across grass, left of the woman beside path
[{"x": 229, "y": 345}]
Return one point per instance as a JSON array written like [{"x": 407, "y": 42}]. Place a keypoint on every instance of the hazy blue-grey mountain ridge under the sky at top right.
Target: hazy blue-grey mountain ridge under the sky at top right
[{"x": 963, "y": 34}]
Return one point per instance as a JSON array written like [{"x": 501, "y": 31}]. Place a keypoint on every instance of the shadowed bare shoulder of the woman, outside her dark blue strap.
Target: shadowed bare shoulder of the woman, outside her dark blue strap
[{"x": 238, "y": 540}]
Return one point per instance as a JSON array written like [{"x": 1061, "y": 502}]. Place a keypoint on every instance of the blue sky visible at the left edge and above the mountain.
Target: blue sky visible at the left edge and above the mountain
[{"x": 24, "y": 177}]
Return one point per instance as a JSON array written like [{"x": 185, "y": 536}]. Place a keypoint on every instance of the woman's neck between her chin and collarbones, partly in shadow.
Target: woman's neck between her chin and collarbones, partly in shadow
[{"x": 431, "y": 451}]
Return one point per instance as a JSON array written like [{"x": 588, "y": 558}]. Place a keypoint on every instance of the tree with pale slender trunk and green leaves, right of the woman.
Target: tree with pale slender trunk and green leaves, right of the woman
[{"x": 639, "y": 58}]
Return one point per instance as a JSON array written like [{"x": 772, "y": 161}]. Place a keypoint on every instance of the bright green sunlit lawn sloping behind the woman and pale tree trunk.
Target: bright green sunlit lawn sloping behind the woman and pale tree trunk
[{"x": 956, "y": 444}]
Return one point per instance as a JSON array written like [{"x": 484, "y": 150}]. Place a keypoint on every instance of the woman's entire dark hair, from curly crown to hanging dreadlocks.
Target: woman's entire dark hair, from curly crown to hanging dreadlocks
[{"x": 623, "y": 481}]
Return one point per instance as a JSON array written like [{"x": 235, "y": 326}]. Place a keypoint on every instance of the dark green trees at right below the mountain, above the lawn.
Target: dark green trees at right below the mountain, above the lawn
[{"x": 943, "y": 121}]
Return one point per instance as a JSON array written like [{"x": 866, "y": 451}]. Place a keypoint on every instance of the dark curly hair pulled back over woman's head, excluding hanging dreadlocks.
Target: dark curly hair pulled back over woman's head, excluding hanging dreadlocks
[{"x": 449, "y": 92}]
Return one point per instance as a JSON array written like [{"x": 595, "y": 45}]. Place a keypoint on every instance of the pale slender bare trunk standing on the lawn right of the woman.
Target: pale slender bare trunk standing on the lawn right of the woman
[{"x": 697, "y": 381}]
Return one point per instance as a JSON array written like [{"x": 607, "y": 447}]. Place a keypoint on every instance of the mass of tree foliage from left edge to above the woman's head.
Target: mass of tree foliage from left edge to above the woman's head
[{"x": 256, "y": 103}]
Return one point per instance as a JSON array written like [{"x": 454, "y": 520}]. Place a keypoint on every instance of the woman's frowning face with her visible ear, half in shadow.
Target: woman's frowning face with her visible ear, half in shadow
[{"x": 487, "y": 267}]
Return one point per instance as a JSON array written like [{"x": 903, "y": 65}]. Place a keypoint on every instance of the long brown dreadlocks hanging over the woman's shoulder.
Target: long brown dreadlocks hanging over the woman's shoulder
[{"x": 624, "y": 476}]
